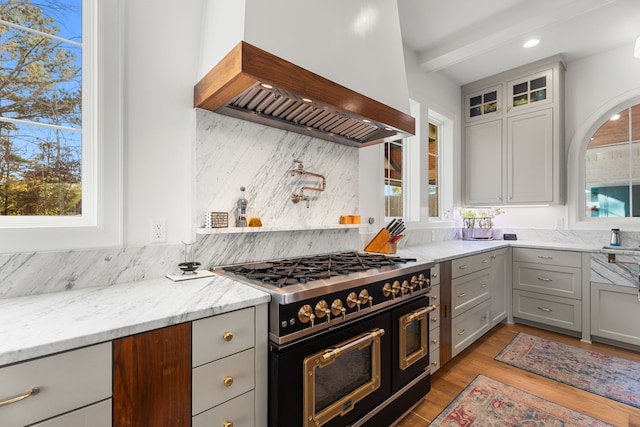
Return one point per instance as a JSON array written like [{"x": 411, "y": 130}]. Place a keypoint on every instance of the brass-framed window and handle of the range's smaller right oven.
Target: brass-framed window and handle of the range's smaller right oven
[{"x": 413, "y": 336}]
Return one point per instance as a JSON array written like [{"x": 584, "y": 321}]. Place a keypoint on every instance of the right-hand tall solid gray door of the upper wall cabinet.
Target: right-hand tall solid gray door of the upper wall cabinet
[{"x": 530, "y": 157}]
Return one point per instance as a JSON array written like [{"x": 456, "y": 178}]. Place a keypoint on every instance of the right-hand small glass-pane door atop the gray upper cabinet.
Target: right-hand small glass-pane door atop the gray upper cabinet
[{"x": 530, "y": 91}]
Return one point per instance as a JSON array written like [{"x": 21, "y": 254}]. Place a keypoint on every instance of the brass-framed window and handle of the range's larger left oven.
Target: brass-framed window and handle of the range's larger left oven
[{"x": 337, "y": 378}]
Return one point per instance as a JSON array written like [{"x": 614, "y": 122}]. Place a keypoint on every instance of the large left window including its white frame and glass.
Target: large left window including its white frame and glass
[{"x": 60, "y": 173}]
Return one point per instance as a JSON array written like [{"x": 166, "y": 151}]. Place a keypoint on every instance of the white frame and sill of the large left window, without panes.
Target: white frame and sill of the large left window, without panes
[{"x": 101, "y": 222}]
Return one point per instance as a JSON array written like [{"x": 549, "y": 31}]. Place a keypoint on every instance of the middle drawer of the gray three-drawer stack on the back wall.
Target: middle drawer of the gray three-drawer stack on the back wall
[{"x": 548, "y": 279}]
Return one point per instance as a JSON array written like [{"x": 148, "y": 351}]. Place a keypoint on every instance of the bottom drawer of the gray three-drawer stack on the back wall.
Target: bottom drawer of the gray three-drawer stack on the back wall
[{"x": 547, "y": 309}]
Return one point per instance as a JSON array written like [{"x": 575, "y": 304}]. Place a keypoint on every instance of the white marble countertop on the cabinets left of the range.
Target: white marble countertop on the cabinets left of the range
[{"x": 41, "y": 325}]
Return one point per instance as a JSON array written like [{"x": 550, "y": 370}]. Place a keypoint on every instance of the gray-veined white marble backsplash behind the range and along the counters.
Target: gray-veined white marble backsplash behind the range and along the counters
[{"x": 231, "y": 153}]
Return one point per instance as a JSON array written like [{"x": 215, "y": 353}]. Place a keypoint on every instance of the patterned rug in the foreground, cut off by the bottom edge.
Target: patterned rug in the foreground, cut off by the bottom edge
[{"x": 489, "y": 403}]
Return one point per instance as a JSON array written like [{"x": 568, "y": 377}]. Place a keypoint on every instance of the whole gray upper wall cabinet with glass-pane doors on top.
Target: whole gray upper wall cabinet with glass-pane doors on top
[{"x": 515, "y": 155}]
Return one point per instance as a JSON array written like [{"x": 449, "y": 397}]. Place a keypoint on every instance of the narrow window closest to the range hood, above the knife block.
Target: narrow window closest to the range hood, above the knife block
[{"x": 394, "y": 180}]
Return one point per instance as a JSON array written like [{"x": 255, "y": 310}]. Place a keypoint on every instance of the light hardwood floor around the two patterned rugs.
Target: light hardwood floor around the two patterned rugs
[{"x": 451, "y": 379}]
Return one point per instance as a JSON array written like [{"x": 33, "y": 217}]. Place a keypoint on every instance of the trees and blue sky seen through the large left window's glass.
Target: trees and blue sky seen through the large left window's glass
[{"x": 40, "y": 108}]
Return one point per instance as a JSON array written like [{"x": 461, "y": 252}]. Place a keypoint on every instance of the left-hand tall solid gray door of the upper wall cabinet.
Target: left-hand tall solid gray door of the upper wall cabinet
[{"x": 483, "y": 163}]
